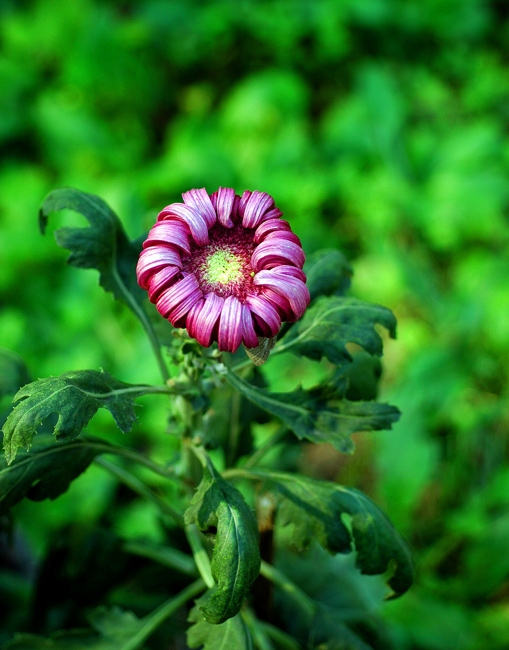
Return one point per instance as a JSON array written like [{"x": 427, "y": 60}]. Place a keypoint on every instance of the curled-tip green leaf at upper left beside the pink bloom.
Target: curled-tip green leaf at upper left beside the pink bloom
[{"x": 103, "y": 246}]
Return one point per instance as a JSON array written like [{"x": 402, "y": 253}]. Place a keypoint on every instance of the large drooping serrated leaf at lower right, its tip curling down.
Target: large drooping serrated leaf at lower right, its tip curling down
[{"x": 315, "y": 509}]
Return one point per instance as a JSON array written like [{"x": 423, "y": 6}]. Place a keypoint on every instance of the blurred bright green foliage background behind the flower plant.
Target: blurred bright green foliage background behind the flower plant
[{"x": 381, "y": 128}]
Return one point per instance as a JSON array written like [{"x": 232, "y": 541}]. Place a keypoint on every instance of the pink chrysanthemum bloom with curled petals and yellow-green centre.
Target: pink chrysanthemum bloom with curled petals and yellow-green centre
[{"x": 226, "y": 267}]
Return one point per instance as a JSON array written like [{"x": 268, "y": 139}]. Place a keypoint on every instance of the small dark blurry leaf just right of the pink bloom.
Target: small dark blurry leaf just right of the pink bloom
[{"x": 328, "y": 273}]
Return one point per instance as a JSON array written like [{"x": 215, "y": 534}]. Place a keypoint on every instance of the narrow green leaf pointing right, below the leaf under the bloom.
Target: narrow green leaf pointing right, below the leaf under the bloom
[{"x": 318, "y": 415}]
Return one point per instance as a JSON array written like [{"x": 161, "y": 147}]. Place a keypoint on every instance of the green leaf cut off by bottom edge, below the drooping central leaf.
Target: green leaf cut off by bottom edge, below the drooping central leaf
[{"x": 233, "y": 633}]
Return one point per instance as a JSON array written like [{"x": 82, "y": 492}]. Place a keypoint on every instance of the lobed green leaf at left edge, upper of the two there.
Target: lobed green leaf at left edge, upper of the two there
[{"x": 75, "y": 396}]
